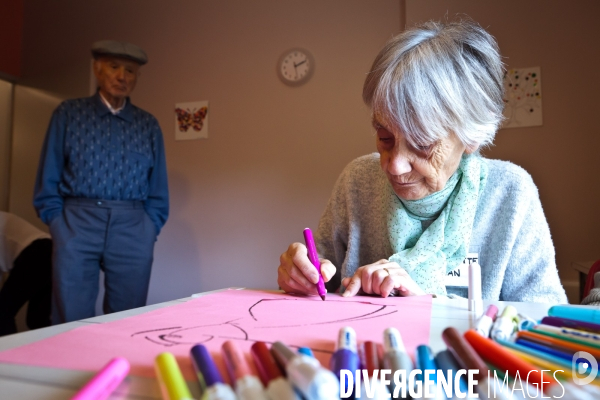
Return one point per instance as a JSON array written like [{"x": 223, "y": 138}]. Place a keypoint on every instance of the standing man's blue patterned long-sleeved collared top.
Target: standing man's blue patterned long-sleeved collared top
[{"x": 91, "y": 153}]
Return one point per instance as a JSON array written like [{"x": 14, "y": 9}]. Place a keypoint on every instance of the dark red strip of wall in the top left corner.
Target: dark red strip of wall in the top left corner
[{"x": 11, "y": 33}]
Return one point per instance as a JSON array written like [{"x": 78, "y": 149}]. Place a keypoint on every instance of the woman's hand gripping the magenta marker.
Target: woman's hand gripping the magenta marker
[{"x": 296, "y": 274}]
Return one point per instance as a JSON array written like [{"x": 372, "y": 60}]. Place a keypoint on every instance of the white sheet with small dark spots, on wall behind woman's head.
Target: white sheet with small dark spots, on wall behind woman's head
[{"x": 522, "y": 97}]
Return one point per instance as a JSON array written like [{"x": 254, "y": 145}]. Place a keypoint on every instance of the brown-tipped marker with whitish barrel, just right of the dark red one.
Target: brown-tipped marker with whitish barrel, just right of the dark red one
[{"x": 306, "y": 374}]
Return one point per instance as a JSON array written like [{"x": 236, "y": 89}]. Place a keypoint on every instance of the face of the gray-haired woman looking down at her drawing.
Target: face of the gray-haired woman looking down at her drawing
[{"x": 416, "y": 172}]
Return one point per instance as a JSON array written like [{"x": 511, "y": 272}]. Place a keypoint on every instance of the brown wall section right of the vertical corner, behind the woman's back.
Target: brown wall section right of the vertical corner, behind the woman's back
[{"x": 562, "y": 38}]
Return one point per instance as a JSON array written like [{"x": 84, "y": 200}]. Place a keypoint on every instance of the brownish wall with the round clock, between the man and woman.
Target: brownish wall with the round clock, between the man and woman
[{"x": 241, "y": 196}]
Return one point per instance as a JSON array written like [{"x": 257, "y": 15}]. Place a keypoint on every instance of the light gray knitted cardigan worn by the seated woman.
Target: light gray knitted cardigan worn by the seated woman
[{"x": 510, "y": 232}]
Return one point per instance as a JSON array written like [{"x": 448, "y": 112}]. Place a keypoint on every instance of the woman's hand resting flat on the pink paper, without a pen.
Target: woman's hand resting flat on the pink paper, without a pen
[{"x": 381, "y": 278}]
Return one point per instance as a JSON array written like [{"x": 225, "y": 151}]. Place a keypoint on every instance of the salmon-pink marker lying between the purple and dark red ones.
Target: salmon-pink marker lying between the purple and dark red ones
[{"x": 247, "y": 386}]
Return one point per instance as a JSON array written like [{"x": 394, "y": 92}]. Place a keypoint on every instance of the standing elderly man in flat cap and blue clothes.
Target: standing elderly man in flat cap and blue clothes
[{"x": 102, "y": 189}]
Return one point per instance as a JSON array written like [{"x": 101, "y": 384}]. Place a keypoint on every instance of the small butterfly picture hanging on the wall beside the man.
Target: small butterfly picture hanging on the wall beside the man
[{"x": 191, "y": 120}]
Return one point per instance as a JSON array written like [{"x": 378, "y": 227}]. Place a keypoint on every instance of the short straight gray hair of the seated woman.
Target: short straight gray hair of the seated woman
[{"x": 438, "y": 78}]
